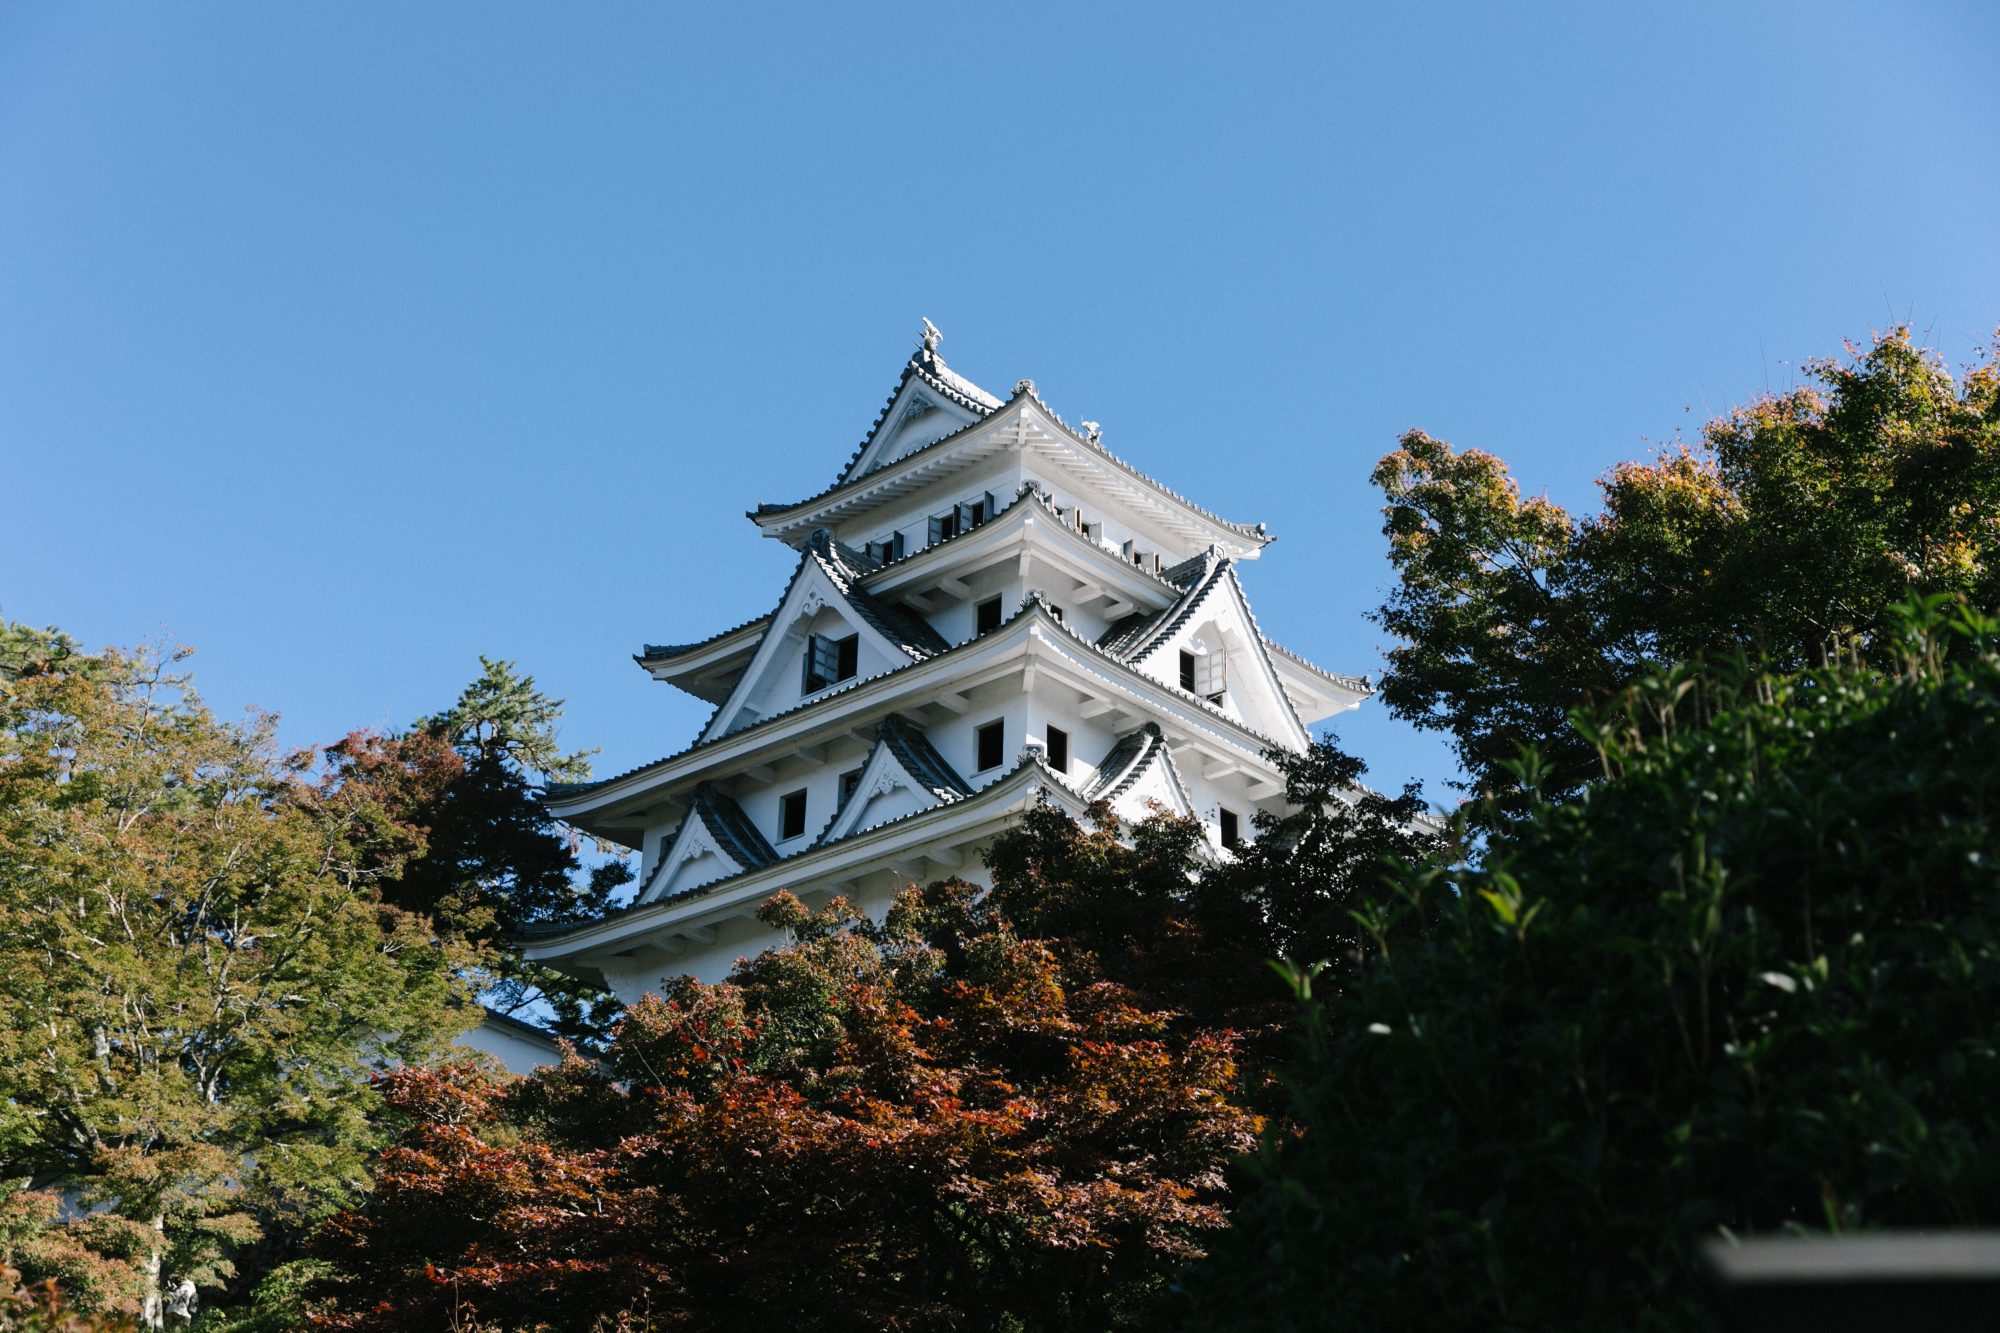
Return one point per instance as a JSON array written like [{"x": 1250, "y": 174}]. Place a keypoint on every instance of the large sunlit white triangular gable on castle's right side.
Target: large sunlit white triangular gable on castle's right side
[{"x": 1215, "y": 617}]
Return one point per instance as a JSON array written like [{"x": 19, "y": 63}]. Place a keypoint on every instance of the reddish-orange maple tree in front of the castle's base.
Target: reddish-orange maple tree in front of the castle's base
[{"x": 931, "y": 1124}]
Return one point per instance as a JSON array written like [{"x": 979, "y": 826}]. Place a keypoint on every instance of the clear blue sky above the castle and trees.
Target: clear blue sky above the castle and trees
[{"x": 347, "y": 343}]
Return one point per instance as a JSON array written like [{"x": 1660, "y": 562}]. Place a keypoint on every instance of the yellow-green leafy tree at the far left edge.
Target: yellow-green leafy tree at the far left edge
[{"x": 197, "y": 976}]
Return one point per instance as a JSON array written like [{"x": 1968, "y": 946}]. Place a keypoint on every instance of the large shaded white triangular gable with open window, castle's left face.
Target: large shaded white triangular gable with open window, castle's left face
[{"x": 823, "y": 593}]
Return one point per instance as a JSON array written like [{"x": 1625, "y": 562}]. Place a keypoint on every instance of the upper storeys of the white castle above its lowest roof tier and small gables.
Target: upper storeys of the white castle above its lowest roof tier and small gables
[{"x": 977, "y": 557}]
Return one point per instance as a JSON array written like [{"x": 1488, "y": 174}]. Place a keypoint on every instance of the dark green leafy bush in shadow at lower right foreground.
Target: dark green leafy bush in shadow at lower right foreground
[{"x": 1743, "y": 984}]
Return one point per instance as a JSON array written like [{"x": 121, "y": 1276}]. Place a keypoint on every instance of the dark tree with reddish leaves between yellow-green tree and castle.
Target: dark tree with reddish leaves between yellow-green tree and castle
[{"x": 495, "y": 862}]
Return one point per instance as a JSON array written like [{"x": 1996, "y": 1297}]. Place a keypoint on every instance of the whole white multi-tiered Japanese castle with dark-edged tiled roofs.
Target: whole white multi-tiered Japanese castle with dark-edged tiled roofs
[{"x": 989, "y": 609}]
